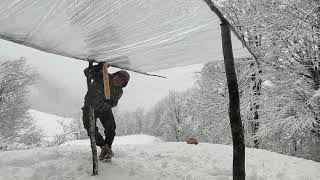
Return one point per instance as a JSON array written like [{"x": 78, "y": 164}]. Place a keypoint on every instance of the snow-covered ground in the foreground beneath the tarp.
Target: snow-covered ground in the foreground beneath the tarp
[{"x": 150, "y": 160}]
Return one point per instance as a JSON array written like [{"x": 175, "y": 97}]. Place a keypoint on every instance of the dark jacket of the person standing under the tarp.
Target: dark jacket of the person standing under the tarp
[{"x": 96, "y": 90}]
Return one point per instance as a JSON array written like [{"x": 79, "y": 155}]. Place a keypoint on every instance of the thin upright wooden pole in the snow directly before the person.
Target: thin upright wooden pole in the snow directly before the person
[{"x": 92, "y": 130}]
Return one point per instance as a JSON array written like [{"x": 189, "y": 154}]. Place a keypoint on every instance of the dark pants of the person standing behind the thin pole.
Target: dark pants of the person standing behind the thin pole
[{"x": 107, "y": 121}]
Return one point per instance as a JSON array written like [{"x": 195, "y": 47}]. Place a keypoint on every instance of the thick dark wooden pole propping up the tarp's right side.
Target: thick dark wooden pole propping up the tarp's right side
[{"x": 234, "y": 100}]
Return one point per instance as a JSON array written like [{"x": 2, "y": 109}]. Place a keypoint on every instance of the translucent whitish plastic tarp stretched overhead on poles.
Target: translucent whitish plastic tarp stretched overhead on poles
[{"x": 144, "y": 35}]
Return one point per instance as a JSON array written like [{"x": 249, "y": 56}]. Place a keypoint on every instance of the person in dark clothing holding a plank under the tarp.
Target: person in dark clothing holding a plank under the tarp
[{"x": 102, "y": 106}]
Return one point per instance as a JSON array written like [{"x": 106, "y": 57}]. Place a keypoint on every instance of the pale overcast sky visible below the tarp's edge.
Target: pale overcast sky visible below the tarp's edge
[{"x": 142, "y": 91}]
